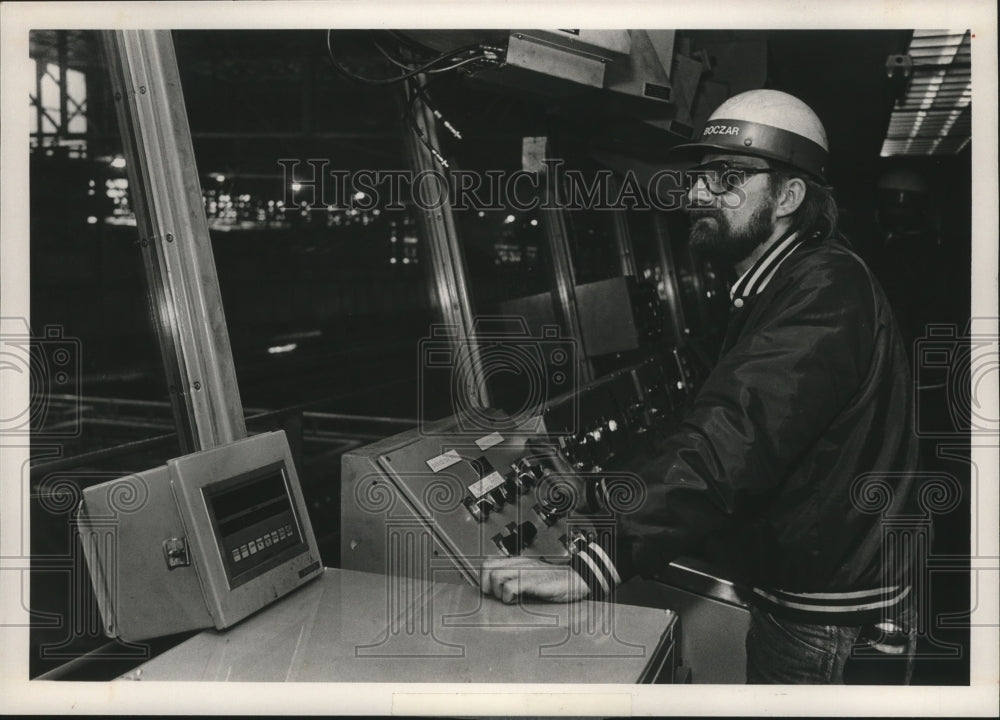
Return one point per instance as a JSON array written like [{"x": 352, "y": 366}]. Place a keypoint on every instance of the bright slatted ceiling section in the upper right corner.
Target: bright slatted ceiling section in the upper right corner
[{"x": 934, "y": 118}]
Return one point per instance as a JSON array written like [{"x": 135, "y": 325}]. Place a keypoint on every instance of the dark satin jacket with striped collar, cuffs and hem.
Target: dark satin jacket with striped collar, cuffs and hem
[{"x": 801, "y": 441}]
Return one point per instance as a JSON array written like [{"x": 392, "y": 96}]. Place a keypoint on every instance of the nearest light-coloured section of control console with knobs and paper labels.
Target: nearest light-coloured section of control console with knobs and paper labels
[{"x": 459, "y": 496}]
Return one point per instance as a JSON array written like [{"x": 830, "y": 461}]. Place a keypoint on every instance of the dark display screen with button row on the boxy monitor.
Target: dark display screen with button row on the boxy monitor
[{"x": 254, "y": 522}]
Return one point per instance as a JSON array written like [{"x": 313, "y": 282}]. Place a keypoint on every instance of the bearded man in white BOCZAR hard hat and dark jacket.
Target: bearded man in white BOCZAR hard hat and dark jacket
[{"x": 798, "y": 446}]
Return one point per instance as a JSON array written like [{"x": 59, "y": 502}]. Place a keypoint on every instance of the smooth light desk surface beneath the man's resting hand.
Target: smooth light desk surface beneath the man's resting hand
[{"x": 349, "y": 626}]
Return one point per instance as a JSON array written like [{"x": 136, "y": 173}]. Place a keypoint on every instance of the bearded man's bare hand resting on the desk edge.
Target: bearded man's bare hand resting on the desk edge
[{"x": 511, "y": 578}]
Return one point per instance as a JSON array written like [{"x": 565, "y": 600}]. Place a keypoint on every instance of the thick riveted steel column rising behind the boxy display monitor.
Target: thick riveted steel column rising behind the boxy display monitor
[{"x": 165, "y": 191}]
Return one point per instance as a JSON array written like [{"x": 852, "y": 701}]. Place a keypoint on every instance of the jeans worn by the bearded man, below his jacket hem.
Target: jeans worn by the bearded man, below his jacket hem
[{"x": 783, "y": 652}]
